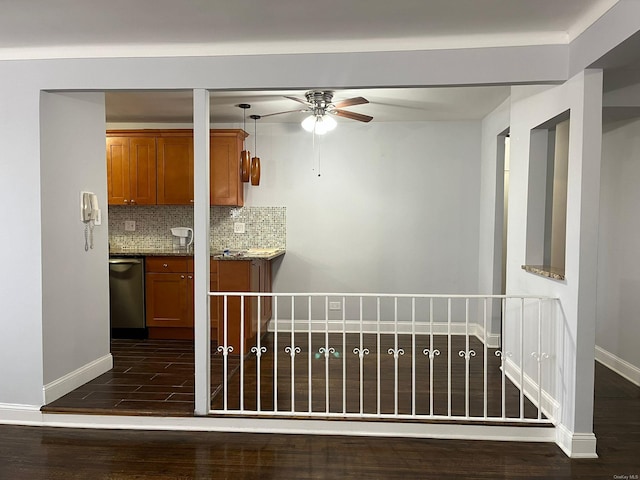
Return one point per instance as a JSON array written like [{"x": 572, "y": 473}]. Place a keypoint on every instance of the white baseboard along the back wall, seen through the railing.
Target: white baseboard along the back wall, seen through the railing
[{"x": 387, "y": 327}]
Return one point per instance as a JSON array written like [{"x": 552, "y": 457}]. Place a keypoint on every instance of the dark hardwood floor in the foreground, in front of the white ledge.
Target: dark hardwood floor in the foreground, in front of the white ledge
[{"x": 59, "y": 453}]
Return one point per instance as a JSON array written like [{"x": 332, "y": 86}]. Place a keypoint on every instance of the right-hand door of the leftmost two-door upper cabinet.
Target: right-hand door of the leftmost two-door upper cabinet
[{"x": 142, "y": 170}]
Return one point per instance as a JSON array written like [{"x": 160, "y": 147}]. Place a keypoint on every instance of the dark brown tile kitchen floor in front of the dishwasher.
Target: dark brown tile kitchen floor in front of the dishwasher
[{"x": 149, "y": 377}]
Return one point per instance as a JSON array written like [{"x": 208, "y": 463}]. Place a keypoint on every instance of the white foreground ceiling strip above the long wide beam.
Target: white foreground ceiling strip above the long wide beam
[{"x": 89, "y": 28}]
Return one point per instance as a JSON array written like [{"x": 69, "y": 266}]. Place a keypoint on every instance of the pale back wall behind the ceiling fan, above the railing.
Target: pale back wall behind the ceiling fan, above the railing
[{"x": 395, "y": 209}]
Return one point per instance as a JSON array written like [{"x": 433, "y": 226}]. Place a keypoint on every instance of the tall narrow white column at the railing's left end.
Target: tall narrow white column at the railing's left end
[{"x": 202, "y": 329}]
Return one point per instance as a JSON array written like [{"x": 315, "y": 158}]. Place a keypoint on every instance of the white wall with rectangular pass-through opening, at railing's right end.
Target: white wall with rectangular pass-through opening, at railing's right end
[{"x": 581, "y": 94}]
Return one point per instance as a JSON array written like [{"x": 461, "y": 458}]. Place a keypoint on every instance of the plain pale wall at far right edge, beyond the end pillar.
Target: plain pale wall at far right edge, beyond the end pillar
[{"x": 618, "y": 306}]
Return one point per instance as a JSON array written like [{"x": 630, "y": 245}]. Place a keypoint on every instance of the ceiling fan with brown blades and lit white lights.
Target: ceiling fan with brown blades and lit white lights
[{"x": 319, "y": 104}]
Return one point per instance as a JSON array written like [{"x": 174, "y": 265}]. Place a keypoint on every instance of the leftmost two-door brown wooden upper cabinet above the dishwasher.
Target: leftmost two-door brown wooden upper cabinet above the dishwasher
[{"x": 131, "y": 170}]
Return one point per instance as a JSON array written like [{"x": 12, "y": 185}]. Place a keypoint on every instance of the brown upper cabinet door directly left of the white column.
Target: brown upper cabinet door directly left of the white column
[{"x": 175, "y": 170}]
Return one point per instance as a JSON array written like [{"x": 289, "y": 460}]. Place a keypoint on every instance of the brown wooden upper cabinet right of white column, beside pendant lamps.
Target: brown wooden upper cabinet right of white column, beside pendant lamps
[{"x": 226, "y": 181}]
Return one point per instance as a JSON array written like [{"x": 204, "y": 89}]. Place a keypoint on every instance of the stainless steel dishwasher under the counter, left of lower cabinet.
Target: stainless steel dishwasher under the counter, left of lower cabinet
[{"x": 126, "y": 297}]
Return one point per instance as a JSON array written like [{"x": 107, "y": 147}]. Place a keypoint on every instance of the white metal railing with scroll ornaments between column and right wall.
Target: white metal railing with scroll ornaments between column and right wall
[{"x": 404, "y": 357}]
